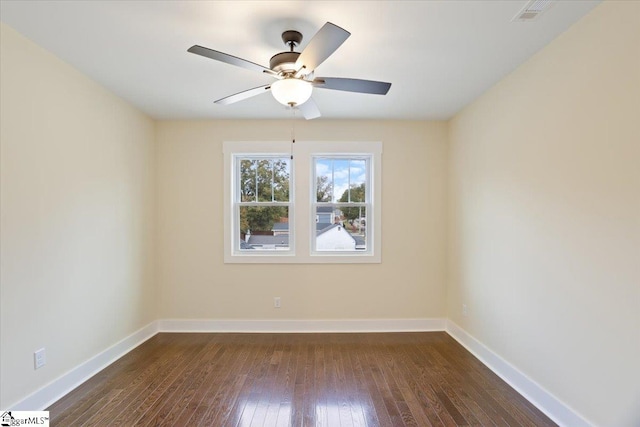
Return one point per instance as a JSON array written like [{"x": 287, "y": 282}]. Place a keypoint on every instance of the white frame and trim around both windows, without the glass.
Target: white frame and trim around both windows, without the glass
[{"x": 301, "y": 211}]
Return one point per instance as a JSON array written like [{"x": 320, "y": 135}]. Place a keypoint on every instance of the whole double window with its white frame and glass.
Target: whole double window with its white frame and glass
[{"x": 332, "y": 216}]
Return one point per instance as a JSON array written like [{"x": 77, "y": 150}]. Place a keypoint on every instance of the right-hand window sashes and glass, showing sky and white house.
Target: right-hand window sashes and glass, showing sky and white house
[{"x": 342, "y": 199}]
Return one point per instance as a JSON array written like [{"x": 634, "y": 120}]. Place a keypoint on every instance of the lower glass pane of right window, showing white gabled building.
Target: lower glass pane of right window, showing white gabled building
[{"x": 337, "y": 231}]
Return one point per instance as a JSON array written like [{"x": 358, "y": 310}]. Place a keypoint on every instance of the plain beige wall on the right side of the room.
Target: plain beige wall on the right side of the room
[{"x": 545, "y": 217}]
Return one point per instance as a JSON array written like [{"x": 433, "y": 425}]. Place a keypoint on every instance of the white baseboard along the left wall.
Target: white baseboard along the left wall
[{"x": 58, "y": 388}]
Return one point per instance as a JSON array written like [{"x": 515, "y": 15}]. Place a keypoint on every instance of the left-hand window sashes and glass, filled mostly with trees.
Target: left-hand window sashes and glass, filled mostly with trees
[{"x": 262, "y": 203}]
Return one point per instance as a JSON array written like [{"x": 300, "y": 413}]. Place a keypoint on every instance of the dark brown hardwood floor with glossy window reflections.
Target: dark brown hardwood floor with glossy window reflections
[{"x": 373, "y": 379}]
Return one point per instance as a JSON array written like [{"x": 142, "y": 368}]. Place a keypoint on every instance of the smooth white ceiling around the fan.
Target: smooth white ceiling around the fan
[{"x": 438, "y": 55}]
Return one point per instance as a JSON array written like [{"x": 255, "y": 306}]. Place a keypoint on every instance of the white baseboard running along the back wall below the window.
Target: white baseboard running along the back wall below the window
[{"x": 302, "y": 326}]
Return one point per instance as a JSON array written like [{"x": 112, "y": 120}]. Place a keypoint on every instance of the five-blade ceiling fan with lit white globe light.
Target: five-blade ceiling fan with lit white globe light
[{"x": 294, "y": 71}]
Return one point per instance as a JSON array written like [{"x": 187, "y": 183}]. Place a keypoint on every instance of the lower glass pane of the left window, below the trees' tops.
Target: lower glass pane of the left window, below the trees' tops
[{"x": 264, "y": 228}]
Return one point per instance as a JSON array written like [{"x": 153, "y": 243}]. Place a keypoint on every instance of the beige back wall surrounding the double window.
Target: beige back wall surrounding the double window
[{"x": 196, "y": 284}]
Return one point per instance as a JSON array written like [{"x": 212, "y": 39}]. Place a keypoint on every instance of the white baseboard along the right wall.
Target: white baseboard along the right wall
[{"x": 555, "y": 409}]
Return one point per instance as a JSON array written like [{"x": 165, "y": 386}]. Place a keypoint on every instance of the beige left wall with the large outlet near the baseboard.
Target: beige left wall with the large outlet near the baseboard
[{"x": 77, "y": 214}]
